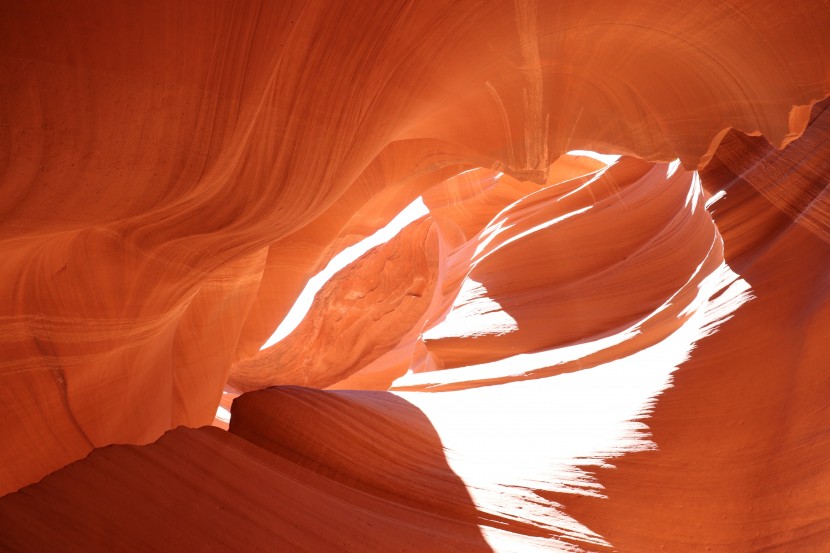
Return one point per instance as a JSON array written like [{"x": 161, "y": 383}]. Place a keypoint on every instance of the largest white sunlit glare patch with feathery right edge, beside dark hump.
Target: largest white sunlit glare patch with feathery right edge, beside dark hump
[{"x": 512, "y": 442}]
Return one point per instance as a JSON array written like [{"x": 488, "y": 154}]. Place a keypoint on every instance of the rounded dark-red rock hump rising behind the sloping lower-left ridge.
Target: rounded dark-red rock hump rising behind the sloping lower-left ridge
[{"x": 373, "y": 442}]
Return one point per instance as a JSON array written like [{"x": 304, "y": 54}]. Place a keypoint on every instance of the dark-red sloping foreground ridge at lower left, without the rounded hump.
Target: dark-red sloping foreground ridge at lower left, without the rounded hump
[{"x": 132, "y": 494}]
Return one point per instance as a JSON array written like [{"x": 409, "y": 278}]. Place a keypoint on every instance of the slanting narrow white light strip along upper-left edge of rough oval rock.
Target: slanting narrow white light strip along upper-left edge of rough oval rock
[{"x": 410, "y": 214}]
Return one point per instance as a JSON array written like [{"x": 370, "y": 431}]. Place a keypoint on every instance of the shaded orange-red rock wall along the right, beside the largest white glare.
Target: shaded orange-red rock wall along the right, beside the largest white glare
[{"x": 744, "y": 422}]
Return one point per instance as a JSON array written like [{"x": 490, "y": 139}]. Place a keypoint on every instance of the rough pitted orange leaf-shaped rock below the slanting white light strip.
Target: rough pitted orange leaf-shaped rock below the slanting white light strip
[{"x": 359, "y": 315}]
